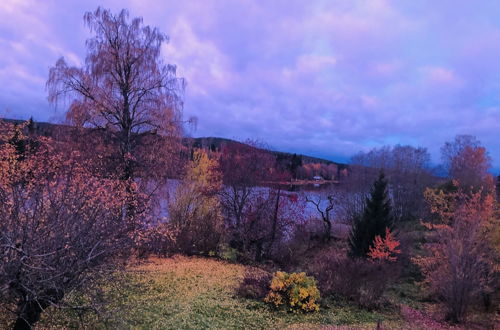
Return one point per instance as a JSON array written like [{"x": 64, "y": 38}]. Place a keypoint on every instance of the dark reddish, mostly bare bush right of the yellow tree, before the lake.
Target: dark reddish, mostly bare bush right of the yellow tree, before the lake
[{"x": 258, "y": 218}]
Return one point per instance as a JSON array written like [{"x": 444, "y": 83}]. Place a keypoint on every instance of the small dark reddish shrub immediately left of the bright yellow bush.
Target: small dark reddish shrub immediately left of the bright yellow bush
[{"x": 255, "y": 284}]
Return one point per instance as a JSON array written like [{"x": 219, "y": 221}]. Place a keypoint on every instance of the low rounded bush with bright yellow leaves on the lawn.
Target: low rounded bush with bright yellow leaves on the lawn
[{"x": 294, "y": 291}]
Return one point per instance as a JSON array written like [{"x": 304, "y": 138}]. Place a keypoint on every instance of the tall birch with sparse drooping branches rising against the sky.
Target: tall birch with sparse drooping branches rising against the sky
[{"x": 124, "y": 86}]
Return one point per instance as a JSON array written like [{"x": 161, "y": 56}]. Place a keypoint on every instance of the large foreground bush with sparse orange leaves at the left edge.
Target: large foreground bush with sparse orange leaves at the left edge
[{"x": 60, "y": 226}]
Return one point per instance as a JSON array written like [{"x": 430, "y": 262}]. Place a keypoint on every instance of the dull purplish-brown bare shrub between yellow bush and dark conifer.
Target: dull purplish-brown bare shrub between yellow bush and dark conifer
[{"x": 361, "y": 281}]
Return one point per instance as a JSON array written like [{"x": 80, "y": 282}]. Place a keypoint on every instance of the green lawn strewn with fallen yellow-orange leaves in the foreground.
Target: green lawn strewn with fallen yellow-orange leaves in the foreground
[{"x": 198, "y": 293}]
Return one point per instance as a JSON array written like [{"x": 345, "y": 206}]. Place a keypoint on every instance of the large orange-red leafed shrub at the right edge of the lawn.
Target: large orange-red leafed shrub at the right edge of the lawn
[{"x": 458, "y": 263}]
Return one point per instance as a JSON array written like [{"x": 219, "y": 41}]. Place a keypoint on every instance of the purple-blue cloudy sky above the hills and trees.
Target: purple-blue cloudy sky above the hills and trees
[{"x": 324, "y": 78}]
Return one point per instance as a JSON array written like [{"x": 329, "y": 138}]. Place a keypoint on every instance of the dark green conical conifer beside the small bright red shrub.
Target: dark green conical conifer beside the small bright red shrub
[{"x": 375, "y": 219}]
